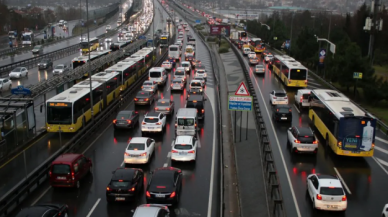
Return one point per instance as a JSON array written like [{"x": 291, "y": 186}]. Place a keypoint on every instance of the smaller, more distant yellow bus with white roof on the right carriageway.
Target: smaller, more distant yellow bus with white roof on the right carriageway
[{"x": 290, "y": 71}]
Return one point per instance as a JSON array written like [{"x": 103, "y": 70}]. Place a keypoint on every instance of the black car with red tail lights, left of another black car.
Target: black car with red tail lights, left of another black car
[{"x": 125, "y": 185}]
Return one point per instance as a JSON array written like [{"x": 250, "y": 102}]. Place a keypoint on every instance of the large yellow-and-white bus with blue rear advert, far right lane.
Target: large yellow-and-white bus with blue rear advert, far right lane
[{"x": 347, "y": 129}]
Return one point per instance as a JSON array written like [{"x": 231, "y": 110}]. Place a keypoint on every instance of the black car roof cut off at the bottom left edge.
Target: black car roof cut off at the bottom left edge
[{"x": 44, "y": 210}]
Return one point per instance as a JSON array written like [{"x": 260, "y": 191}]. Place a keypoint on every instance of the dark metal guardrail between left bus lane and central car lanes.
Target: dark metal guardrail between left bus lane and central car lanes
[{"x": 19, "y": 193}]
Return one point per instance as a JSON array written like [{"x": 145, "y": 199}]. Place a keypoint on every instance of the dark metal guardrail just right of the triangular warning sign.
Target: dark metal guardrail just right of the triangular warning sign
[{"x": 273, "y": 186}]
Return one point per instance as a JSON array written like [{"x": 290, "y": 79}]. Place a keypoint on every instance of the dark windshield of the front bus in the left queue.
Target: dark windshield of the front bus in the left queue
[{"x": 59, "y": 114}]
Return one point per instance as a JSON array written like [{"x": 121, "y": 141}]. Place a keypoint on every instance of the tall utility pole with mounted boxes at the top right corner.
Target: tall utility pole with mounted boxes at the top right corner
[{"x": 373, "y": 25}]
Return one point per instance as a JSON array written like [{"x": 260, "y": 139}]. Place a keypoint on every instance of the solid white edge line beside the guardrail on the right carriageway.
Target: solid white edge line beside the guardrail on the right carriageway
[{"x": 280, "y": 151}]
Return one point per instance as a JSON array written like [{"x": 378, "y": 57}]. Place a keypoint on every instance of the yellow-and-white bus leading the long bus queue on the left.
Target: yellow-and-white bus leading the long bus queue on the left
[{"x": 70, "y": 110}]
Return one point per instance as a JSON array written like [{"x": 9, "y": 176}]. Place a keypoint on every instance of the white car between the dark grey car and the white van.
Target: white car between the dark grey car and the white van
[{"x": 154, "y": 122}]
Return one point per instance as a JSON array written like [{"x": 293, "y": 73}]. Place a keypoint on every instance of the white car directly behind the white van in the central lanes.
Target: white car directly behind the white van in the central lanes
[{"x": 184, "y": 148}]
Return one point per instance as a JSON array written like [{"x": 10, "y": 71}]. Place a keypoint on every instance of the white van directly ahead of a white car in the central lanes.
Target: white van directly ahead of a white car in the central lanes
[{"x": 186, "y": 122}]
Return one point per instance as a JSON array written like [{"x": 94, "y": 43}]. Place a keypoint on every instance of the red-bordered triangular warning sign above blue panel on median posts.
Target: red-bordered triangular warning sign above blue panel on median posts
[{"x": 240, "y": 101}]
